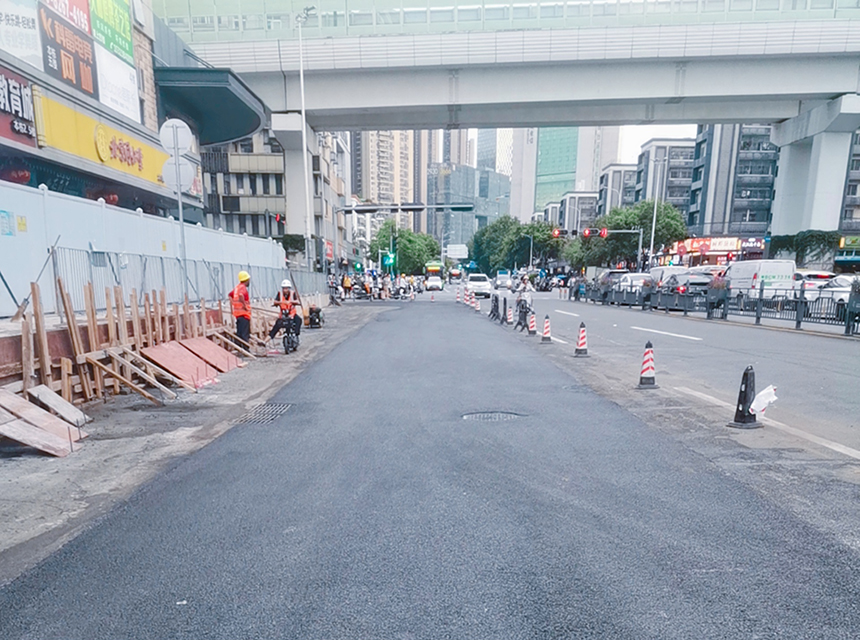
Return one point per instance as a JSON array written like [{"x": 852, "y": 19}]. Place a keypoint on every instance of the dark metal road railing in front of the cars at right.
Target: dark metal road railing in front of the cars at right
[{"x": 818, "y": 308}]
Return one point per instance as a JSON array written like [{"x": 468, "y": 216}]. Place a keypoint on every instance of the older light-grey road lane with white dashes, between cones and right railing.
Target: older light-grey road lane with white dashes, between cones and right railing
[{"x": 817, "y": 377}]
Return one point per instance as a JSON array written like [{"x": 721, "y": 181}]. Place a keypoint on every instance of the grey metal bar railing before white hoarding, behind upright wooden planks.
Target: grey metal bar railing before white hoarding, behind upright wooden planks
[{"x": 210, "y": 280}]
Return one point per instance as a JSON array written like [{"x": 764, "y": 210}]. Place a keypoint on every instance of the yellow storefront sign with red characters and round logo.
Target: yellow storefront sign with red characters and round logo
[{"x": 63, "y": 128}]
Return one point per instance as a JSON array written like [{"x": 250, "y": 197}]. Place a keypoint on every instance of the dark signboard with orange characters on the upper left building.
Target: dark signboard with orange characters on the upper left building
[{"x": 68, "y": 53}]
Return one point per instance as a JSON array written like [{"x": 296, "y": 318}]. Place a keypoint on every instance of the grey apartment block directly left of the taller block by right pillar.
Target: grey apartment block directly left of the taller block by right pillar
[{"x": 665, "y": 172}]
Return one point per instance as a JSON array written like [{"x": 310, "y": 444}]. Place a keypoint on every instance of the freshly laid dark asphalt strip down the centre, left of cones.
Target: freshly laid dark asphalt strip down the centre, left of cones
[{"x": 372, "y": 510}]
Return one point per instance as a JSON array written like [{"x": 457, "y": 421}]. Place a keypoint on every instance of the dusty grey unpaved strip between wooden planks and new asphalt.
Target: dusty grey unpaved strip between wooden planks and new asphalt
[{"x": 44, "y": 502}]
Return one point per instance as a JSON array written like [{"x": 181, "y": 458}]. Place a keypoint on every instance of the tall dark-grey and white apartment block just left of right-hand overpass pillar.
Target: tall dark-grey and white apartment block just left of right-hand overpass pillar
[{"x": 733, "y": 178}]
